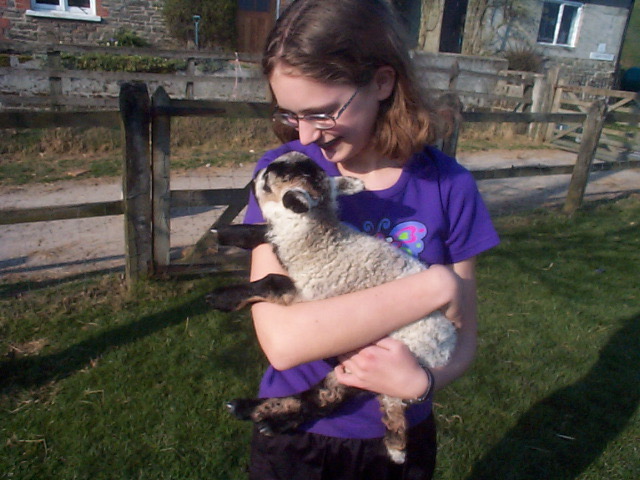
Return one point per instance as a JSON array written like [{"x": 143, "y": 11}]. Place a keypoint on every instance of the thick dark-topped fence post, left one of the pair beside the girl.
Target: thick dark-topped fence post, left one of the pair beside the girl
[{"x": 135, "y": 112}]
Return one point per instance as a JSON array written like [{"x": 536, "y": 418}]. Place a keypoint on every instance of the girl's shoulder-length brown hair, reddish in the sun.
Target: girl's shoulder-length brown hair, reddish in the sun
[{"x": 346, "y": 41}]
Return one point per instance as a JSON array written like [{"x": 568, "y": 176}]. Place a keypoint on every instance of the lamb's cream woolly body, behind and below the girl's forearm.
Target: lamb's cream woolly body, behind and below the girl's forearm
[{"x": 327, "y": 258}]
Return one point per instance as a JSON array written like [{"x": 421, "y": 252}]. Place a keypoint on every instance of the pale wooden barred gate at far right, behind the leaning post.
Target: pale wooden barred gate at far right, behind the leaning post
[{"x": 620, "y": 140}]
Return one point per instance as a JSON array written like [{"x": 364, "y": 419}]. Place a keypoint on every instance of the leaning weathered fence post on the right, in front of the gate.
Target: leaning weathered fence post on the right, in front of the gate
[{"x": 591, "y": 131}]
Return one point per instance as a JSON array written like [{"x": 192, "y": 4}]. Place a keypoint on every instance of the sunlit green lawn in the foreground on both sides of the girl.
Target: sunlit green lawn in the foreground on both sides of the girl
[{"x": 98, "y": 383}]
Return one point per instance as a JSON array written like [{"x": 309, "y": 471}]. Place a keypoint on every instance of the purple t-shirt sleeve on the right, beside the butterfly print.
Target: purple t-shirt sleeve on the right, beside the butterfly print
[{"x": 471, "y": 230}]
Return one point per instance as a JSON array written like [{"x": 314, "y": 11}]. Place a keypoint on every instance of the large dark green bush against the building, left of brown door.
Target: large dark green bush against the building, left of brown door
[{"x": 217, "y": 26}]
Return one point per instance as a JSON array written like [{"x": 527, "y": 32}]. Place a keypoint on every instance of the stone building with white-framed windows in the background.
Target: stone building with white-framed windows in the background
[{"x": 584, "y": 36}]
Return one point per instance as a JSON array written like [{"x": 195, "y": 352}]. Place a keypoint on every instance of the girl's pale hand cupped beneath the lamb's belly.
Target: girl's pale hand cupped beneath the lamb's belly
[{"x": 387, "y": 367}]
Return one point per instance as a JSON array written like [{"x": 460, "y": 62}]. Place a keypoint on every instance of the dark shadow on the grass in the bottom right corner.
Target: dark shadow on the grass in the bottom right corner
[{"x": 559, "y": 437}]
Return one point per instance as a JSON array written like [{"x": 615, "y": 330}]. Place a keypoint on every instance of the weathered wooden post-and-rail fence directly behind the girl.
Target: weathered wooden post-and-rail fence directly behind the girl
[{"x": 148, "y": 198}]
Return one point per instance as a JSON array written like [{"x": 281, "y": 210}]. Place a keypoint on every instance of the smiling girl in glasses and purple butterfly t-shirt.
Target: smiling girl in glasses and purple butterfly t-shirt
[{"x": 345, "y": 95}]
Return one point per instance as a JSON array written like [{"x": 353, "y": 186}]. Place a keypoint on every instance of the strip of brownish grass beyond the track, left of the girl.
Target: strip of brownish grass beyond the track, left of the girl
[{"x": 50, "y": 155}]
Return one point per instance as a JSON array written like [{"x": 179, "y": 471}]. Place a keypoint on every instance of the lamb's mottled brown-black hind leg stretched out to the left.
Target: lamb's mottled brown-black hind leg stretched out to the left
[{"x": 274, "y": 415}]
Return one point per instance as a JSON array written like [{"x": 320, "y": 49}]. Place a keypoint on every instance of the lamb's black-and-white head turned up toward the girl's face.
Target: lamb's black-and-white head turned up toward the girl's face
[{"x": 295, "y": 184}]
